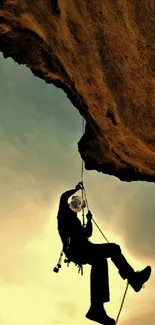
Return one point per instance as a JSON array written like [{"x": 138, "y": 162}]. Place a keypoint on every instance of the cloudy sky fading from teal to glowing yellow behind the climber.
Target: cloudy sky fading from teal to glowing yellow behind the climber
[{"x": 39, "y": 159}]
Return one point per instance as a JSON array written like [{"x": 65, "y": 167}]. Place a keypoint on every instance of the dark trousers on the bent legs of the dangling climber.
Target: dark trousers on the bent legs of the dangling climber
[{"x": 97, "y": 255}]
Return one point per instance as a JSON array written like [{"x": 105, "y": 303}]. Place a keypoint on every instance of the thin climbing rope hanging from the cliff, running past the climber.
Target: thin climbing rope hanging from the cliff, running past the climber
[{"x": 85, "y": 197}]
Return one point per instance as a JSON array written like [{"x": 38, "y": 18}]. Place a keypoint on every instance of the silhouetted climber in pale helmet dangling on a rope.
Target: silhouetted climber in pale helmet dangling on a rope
[{"x": 80, "y": 250}]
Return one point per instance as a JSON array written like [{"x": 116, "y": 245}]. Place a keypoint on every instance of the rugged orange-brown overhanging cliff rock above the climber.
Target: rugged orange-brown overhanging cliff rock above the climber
[{"x": 102, "y": 54}]
